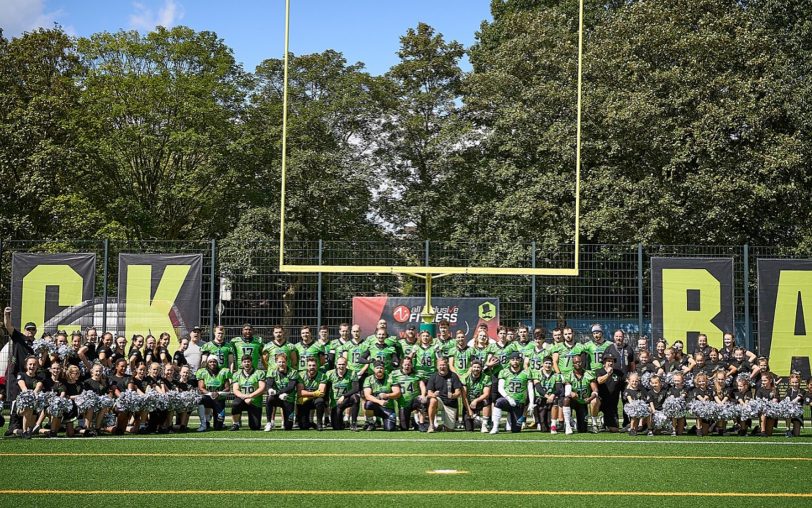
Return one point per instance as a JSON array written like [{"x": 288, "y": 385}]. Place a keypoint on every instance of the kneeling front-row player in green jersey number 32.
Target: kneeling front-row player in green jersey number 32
[{"x": 516, "y": 394}]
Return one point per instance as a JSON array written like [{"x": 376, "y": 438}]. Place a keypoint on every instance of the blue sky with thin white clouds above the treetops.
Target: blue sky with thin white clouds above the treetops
[{"x": 364, "y": 30}]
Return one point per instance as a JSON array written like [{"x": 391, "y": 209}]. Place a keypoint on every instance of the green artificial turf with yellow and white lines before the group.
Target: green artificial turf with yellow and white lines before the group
[{"x": 386, "y": 462}]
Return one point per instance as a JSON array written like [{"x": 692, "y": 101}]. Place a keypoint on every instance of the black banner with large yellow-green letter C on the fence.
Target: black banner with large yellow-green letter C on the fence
[{"x": 52, "y": 290}]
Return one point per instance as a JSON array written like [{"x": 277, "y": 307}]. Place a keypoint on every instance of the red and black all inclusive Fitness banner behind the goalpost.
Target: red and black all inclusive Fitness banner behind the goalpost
[{"x": 399, "y": 312}]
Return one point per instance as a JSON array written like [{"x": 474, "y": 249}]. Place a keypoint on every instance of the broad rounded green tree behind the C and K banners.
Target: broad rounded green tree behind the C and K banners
[{"x": 163, "y": 115}]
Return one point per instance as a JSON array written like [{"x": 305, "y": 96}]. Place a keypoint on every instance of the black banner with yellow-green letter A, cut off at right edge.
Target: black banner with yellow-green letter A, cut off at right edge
[{"x": 785, "y": 314}]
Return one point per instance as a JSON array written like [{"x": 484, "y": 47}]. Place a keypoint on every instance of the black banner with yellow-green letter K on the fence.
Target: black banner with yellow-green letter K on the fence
[{"x": 159, "y": 293}]
